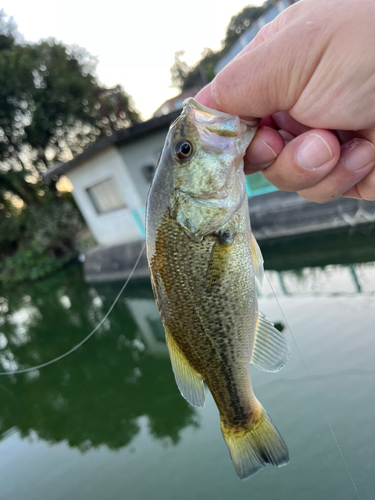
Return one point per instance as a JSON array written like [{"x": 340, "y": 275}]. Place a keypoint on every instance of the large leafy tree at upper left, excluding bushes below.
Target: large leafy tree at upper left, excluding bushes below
[{"x": 51, "y": 108}]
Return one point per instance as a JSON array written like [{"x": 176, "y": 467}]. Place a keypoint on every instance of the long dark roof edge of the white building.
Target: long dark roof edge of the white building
[{"x": 121, "y": 137}]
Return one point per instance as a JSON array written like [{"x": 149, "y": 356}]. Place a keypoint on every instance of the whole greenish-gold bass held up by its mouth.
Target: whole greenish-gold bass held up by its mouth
[{"x": 204, "y": 263}]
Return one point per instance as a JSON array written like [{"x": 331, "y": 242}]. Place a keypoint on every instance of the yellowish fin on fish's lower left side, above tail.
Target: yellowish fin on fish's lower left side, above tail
[{"x": 189, "y": 381}]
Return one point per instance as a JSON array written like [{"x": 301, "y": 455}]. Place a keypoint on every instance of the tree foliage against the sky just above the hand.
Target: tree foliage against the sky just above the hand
[{"x": 185, "y": 76}]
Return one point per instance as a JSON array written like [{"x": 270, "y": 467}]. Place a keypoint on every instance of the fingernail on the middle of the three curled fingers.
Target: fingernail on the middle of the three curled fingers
[{"x": 313, "y": 152}]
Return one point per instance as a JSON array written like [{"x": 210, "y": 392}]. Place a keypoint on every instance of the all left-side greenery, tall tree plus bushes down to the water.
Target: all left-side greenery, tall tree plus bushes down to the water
[{"x": 51, "y": 108}]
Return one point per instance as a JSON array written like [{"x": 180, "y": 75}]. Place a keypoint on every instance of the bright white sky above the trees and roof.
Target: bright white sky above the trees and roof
[{"x": 134, "y": 40}]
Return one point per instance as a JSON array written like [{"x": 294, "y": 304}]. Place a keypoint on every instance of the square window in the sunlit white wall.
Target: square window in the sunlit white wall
[{"x": 106, "y": 196}]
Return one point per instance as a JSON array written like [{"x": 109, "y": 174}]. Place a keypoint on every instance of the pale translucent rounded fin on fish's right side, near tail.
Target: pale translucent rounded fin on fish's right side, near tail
[{"x": 271, "y": 348}]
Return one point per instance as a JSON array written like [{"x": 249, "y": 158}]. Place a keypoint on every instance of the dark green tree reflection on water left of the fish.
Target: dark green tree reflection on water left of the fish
[{"x": 97, "y": 395}]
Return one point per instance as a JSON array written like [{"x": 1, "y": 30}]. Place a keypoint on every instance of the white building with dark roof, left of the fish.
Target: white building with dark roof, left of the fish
[{"x": 111, "y": 180}]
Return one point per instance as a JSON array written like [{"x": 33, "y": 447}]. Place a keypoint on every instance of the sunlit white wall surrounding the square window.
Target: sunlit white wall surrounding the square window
[{"x": 114, "y": 227}]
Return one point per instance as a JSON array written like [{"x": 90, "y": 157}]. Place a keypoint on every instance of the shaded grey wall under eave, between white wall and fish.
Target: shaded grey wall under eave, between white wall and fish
[{"x": 138, "y": 154}]
